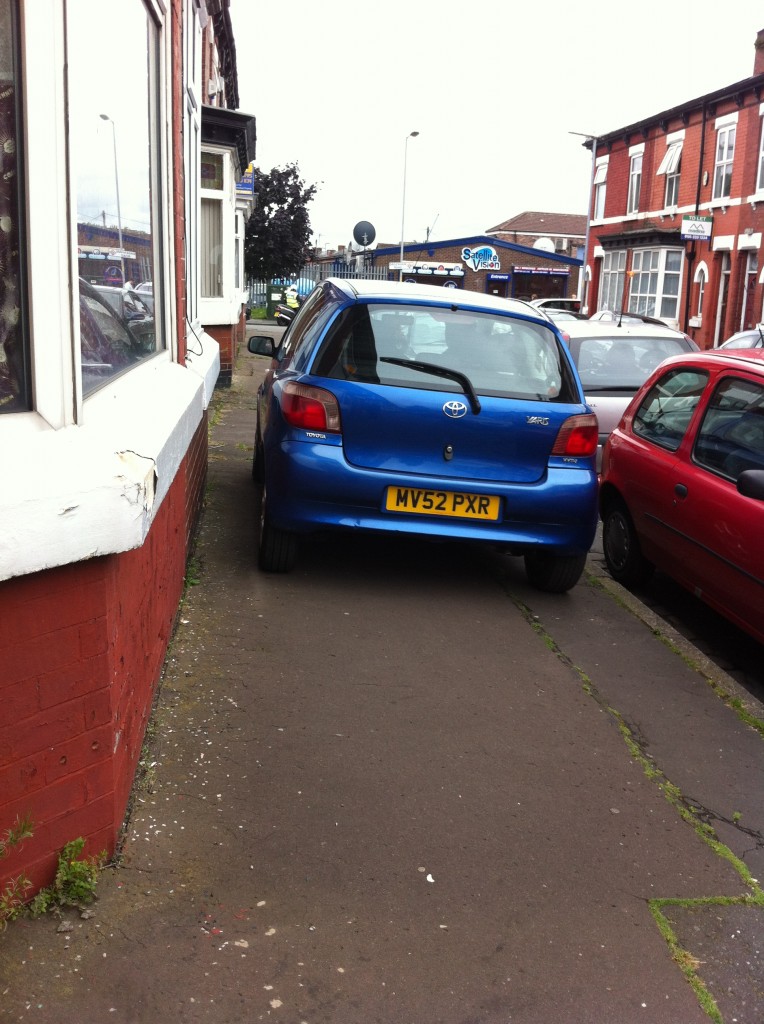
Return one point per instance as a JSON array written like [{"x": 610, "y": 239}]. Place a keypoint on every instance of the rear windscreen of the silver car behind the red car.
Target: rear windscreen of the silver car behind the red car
[{"x": 621, "y": 361}]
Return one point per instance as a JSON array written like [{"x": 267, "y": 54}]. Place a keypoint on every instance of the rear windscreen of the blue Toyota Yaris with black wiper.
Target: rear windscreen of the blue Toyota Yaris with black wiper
[{"x": 409, "y": 346}]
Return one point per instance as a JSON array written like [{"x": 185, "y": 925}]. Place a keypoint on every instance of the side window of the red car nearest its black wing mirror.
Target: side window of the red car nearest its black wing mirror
[{"x": 731, "y": 438}]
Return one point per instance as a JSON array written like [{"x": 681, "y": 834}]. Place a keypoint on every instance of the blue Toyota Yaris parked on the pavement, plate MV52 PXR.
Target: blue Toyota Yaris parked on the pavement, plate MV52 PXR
[{"x": 408, "y": 409}]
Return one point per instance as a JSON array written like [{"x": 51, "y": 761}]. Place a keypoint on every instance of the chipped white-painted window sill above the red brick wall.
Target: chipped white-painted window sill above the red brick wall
[{"x": 95, "y": 490}]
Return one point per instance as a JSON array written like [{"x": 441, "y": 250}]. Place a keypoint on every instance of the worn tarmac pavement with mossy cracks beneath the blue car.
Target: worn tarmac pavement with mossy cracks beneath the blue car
[{"x": 296, "y": 855}]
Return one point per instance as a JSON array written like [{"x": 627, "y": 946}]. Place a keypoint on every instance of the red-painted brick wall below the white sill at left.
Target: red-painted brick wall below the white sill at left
[{"x": 81, "y": 651}]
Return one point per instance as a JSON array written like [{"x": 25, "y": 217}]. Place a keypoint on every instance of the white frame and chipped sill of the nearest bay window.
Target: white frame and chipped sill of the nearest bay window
[{"x": 89, "y": 478}]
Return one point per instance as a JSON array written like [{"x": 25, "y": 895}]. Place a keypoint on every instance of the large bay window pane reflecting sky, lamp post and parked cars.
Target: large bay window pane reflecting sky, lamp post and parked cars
[{"x": 112, "y": 150}]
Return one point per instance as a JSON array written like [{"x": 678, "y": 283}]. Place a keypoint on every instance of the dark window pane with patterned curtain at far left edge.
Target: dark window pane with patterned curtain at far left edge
[{"x": 15, "y": 377}]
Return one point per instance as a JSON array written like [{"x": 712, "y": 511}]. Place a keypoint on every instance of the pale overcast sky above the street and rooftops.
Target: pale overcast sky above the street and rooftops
[{"x": 495, "y": 90}]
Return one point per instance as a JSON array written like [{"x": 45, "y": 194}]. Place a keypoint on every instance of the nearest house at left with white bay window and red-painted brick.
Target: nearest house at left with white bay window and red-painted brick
[{"x": 103, "y": 431}]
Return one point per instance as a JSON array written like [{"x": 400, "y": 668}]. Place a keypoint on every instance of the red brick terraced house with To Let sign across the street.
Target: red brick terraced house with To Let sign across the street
[{"x": 677, "y": 214}]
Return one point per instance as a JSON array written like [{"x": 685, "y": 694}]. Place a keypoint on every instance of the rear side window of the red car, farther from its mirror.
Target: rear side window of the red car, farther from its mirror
[{"x": 666, "y": 412}]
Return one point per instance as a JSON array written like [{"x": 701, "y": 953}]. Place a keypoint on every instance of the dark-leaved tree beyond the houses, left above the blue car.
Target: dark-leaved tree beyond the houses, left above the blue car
[{"x": 278, "y": 239}]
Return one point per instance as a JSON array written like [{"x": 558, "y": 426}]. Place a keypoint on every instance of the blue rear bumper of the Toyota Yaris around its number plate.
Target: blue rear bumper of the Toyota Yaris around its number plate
[{"x": 313, "y": 488}]
